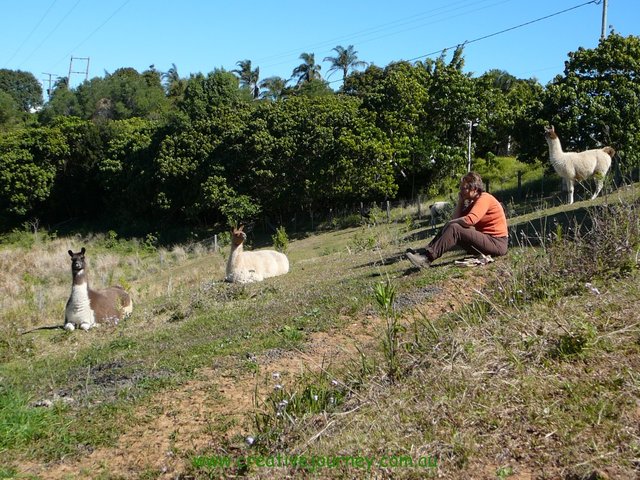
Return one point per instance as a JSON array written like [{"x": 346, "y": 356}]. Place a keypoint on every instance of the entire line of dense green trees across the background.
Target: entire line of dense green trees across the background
[{"x": 156, "y": 148}]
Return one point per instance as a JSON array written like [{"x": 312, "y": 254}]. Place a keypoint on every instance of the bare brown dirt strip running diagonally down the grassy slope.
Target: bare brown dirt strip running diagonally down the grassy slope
[{"x": 214, "y": 409}]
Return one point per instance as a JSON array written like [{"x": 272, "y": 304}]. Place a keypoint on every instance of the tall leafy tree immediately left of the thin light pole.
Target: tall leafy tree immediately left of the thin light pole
[{"x": 424, "y": 110}]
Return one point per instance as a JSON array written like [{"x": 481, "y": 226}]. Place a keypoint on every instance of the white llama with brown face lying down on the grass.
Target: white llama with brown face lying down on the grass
[{"x": 247, "y": 267}]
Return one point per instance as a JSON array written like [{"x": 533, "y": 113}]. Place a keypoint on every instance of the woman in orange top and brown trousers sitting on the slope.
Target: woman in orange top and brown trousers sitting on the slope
[{"x": 479, "y": 225}]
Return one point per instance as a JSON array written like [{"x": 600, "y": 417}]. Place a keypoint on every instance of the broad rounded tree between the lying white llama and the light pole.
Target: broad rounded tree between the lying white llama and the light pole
[{"x": 309, "y": 152}]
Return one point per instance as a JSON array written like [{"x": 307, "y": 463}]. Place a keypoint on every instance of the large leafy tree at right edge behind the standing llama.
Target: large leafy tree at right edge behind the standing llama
[{"x": 595, "y": 102}]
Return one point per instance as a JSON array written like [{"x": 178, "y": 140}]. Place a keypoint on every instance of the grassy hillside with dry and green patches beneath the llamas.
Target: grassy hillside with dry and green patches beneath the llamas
[{"x": 353, "y": 365}]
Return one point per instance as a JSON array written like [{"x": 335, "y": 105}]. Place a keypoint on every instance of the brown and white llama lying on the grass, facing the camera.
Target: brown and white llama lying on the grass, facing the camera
[{"x": 86, "y": 306}]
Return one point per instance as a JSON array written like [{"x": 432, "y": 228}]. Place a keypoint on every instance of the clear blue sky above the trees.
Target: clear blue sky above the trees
[{"x": 41, "y": 36}]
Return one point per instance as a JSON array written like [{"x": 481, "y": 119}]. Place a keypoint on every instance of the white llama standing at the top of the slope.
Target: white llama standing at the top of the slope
[{"x": 572, "y": 166}]
